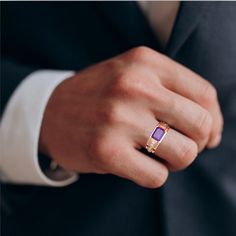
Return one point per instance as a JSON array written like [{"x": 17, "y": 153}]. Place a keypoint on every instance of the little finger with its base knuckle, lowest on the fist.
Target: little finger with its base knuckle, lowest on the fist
[{"x": 115, "y": 153}]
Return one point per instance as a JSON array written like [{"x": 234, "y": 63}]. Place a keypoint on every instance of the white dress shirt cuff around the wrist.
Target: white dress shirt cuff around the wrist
[{"x": 20, "y": 129}]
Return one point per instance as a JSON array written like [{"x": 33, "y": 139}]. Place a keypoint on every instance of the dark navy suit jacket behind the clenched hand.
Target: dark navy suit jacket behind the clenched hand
[{"x": 70, "y": 35}]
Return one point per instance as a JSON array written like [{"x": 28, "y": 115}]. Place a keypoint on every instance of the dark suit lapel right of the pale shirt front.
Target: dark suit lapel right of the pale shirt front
[{"x": 186, "y": 22}]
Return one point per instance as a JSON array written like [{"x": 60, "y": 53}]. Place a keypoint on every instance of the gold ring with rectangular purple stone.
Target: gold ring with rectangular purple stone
[{"x": 157, "y": 136}]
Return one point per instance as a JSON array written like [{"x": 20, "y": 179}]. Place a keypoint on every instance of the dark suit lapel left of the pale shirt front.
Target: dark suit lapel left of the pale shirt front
[{"x": 127, "y": 19}]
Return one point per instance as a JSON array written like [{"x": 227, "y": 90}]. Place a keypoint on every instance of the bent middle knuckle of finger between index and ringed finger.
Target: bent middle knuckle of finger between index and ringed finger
[{"x": 204, "y": 125}]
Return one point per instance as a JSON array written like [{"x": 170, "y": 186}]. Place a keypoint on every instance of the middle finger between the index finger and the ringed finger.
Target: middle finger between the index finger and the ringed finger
[{"x": 185, "y": 116}]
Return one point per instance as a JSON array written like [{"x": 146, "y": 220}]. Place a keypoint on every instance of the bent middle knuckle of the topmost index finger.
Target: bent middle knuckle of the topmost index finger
[{"x": 209, "y": 93}]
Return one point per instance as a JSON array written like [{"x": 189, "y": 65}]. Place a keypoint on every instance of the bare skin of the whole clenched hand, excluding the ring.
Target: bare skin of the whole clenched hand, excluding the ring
[{"x": 98, "y": 120}]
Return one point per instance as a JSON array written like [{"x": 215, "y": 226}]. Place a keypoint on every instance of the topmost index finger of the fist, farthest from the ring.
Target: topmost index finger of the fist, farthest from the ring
[{"x": 185, "y": 82}]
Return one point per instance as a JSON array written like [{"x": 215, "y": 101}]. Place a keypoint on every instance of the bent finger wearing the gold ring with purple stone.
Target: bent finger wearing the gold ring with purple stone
[{"x": 176, "y": 149}]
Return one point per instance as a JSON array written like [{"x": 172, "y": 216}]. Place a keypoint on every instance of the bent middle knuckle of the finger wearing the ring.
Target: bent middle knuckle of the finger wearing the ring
[{"x": 187, "y": 154}]
